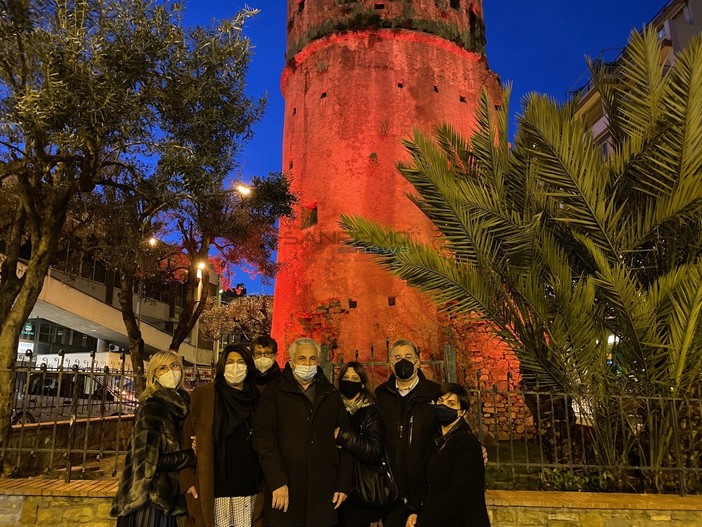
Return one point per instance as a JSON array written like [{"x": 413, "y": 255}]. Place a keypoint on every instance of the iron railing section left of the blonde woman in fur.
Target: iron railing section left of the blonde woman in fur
[{"x": 69, "y": 417}]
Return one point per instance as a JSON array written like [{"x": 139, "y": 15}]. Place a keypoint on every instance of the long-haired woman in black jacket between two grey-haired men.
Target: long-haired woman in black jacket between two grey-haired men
[{"x": 365, "y": 440}]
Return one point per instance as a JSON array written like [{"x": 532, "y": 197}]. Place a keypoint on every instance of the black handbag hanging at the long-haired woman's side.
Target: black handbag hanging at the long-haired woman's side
[{"x": 374, "y": 486}]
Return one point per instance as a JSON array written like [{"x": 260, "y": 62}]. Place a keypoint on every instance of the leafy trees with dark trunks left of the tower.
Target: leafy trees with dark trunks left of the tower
[{"x": 118, "y": 120}]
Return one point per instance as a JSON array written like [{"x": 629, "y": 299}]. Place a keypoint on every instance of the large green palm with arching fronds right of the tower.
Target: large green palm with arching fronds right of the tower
[{"x": 563, "y": 247}]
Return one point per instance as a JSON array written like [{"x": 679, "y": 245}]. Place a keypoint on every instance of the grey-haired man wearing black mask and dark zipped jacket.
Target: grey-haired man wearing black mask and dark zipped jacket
[{"x": 406, "y": 401}]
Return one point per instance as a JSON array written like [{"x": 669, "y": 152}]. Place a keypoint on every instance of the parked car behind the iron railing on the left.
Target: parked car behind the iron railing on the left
[{"x": 58, "y": 396}]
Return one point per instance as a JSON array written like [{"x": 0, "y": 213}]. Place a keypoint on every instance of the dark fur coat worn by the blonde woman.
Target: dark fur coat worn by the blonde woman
[{"x": 157, "y": 426}]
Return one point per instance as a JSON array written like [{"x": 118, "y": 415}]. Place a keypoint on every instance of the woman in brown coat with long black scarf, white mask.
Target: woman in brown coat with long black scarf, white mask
[{"x": 221, "y": 489}]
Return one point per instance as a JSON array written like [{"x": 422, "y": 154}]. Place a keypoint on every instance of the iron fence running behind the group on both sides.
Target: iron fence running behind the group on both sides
[{"x": 71, "y": 417}]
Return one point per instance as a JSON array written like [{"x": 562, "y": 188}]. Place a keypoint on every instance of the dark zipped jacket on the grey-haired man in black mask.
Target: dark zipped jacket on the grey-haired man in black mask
[{"x": 410, "y": 430}]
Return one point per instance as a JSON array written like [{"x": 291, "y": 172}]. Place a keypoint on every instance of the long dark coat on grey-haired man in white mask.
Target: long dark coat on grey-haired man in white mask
[{"x": 295, "y": 441}]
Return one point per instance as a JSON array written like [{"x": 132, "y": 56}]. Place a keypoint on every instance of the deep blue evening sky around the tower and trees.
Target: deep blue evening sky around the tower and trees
[{"x": 537, "y": 46}]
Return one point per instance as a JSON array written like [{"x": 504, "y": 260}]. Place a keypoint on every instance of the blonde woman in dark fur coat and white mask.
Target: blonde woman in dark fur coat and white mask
[{"x": 148, "y": 494}]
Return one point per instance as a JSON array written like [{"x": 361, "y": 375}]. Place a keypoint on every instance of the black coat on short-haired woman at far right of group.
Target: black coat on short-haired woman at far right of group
[{"x": 455, "y": 483}]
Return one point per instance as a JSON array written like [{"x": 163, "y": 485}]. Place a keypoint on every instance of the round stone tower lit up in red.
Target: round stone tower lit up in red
[{"x": 360, "y": 76}]
